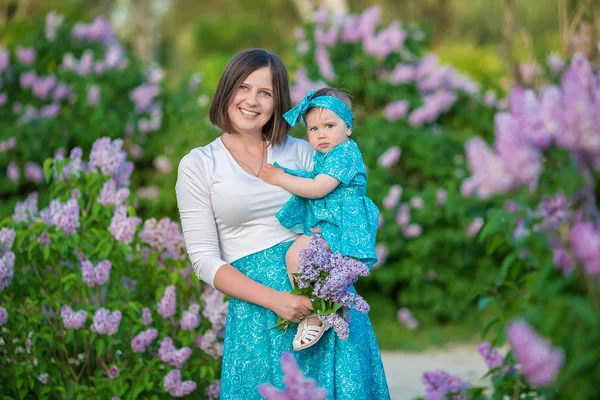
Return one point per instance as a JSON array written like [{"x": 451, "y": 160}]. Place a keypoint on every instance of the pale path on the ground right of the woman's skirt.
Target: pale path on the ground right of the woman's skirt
[{"x": 404, "y": 370}]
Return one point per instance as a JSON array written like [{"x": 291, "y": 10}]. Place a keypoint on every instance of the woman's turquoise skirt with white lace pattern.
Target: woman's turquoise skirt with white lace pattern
[{"x": 348, "y": 369}]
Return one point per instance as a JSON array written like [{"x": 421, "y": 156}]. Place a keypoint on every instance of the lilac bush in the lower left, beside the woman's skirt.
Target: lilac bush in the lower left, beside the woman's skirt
[{"x": 102, "y": 301}]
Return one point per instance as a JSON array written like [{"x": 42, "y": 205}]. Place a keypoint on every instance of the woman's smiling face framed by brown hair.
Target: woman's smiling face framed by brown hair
[{"x": 253, "y": 103}]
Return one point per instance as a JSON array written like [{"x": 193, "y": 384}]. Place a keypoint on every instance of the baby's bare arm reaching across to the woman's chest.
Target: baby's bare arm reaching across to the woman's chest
[{"x": 308, "y": 188}]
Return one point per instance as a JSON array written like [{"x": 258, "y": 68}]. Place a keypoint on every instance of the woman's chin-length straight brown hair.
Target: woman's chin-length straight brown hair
[{"x": 238, "y": 69}]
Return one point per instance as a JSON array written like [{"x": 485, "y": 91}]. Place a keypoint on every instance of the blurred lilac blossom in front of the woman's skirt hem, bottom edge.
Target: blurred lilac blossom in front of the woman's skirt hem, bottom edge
[{"x": 297, "y": 386}]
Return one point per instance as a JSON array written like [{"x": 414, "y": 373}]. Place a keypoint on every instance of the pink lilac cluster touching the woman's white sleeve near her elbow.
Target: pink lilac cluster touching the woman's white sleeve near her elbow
[{"x": 163, "y": 235}]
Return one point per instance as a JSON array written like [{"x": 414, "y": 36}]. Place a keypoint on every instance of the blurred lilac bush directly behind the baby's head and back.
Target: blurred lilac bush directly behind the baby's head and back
[{"x": 412, "y": 116}]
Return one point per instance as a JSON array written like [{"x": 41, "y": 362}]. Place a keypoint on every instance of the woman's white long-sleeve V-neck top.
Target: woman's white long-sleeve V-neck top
[{"x": 227, "y": 213}]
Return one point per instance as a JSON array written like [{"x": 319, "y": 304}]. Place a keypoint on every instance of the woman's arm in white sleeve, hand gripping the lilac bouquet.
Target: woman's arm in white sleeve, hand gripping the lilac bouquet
[{"x": 201, "y": 241}]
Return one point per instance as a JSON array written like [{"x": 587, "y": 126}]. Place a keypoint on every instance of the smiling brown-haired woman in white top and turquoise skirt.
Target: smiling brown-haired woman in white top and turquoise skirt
[{"x": 237, "y": 245}]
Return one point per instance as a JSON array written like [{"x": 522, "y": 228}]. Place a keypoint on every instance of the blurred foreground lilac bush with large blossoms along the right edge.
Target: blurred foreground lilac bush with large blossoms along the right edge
[{"x": 545, "y": 297}]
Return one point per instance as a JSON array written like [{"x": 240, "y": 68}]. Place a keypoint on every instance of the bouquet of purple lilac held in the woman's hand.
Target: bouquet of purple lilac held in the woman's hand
[{"x": 326, "y": 279}]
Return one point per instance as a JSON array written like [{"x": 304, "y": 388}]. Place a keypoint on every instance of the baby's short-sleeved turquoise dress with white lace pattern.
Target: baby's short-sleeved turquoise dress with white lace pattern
[{"x": 347, "y": 217}]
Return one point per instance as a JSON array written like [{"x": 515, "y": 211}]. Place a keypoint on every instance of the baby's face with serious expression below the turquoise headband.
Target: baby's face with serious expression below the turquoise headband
[{"x": 325, "y": 129}]
